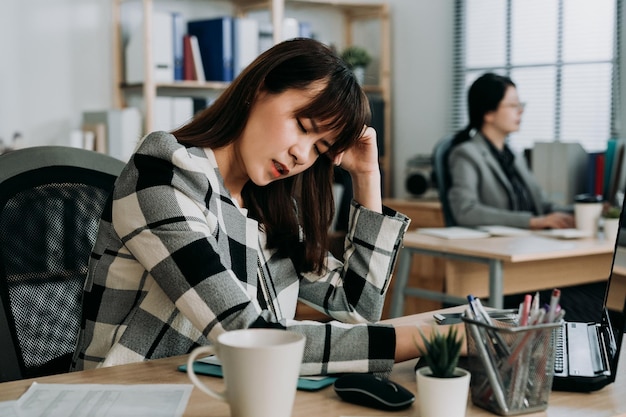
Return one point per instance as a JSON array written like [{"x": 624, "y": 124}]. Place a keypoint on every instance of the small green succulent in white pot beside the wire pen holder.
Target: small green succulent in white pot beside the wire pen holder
[{"x": 442, "y": 387}]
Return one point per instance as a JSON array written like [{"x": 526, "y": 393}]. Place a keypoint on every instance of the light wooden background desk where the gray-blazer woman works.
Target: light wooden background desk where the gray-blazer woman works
[{"x": 513, "y": 265}]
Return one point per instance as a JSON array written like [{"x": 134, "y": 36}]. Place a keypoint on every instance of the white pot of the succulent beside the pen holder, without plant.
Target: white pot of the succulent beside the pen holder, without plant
[{"x": 438, "y": 397}]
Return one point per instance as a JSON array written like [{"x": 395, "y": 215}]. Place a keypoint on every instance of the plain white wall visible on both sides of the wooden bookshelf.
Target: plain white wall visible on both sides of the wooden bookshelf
[{"x": 57, "y": 62}]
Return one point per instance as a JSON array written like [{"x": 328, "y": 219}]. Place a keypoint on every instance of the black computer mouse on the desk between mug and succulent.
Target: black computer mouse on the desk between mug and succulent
[{"x": 371, "y": 391}]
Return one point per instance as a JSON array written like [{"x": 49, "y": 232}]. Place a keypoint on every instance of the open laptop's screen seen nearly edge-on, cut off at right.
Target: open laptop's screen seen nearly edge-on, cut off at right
[{"x": 615, "y": 298}]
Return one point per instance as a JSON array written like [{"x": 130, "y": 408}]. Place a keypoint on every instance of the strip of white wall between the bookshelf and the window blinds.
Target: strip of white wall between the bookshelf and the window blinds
[{"x": 421, "y": 73}]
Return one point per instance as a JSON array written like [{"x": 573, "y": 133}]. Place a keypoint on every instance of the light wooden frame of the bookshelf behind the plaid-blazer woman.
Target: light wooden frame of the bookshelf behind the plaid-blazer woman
[{"x": 352, "y": 13}]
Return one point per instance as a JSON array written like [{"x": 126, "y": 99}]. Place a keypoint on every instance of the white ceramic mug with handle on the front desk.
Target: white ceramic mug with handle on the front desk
[{"x": 260, "y": 367}]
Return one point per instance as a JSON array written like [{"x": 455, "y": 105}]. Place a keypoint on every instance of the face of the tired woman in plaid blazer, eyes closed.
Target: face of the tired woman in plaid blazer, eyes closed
[{"x": 275, "y": 144}]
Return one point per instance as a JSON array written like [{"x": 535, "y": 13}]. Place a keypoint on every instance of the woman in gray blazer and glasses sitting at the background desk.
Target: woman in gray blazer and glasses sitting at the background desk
[{"x": 491, "y": 185}]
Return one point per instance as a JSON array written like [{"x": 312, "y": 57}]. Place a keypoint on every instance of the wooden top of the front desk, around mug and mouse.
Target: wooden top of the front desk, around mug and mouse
[{"x": 610, "y": 401}]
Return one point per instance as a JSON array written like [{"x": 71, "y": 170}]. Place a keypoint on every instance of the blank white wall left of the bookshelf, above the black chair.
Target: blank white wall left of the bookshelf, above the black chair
[{"x": 56, "y": 63}]
